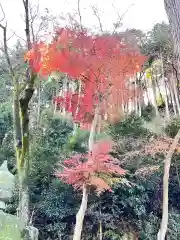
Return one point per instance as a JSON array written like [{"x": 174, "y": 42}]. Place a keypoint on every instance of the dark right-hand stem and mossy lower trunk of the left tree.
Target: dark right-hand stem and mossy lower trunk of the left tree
[{"x": 23, "y": 165}]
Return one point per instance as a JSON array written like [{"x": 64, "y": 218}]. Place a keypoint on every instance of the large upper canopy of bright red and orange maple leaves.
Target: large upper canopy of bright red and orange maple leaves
[{"x": 103, "y": 64}]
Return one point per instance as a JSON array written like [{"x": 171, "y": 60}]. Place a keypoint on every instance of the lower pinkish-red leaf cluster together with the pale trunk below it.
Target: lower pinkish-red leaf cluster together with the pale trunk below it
[{"x": 86, "y": 171}]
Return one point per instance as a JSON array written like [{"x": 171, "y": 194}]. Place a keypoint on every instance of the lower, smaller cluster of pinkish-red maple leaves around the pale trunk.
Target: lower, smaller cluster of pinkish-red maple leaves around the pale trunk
[{"x": 85, "y": 169}]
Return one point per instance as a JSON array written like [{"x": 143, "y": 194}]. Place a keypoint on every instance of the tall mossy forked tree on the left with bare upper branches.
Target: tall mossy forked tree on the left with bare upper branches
[{"x": 21, "y": 99}]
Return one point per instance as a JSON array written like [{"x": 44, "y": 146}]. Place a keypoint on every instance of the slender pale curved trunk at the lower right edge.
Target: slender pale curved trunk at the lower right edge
[{"x": 167, "y": 163}]
